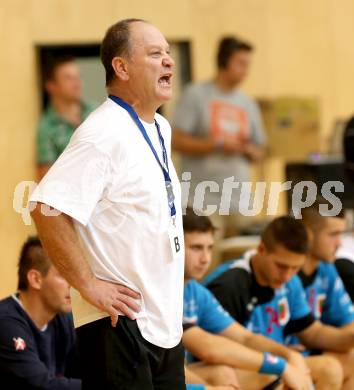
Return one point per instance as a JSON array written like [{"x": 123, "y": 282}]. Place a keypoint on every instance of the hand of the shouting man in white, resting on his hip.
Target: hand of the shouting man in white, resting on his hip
[{"x": 111, "y": 298}]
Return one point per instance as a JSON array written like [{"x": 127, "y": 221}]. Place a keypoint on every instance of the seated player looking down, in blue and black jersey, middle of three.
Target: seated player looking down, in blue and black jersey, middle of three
[{"x": 263, "y": 293}]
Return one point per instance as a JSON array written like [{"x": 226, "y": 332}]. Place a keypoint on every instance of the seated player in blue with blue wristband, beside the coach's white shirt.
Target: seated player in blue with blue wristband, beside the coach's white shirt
[{"x": 213, "y": 337}]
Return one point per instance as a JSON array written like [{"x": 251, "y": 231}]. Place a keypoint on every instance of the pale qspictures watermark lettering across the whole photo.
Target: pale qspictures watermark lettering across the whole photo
[{"x": 251, "y": 198}]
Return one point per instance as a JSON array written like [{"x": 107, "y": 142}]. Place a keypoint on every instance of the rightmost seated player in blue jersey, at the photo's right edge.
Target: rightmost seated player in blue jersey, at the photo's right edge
[{"x": 326, "y": 295}]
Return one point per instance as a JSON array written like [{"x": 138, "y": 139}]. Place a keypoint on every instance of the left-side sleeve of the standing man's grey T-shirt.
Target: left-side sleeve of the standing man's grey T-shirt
[{"x": 187, "y": 112}]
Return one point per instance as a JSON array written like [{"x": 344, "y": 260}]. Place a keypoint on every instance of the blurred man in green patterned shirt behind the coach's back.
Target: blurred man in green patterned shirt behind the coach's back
[{"x": 64, "y": 113}]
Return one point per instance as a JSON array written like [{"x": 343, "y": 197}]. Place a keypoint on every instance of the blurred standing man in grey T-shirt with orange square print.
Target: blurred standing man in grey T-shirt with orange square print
[{"x": 218, "y": 130}]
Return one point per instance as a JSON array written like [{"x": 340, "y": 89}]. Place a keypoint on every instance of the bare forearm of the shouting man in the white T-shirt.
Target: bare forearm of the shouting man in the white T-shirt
[{"x": 60, "y": 240}]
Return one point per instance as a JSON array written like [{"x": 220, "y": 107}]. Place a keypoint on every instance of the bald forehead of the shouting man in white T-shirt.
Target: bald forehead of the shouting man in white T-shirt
[{"x": 145, "y": 35}]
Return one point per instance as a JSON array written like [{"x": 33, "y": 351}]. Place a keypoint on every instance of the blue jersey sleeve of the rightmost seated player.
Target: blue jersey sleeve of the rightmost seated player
[{"x": 338, "y": 309}]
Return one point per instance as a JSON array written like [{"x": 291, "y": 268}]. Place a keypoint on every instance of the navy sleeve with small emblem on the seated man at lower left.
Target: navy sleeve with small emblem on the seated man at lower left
[{"x": 19, "y": 359}]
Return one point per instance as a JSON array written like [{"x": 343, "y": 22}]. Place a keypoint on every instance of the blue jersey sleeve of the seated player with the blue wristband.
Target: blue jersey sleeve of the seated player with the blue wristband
[{"x": 213, "y": 317}]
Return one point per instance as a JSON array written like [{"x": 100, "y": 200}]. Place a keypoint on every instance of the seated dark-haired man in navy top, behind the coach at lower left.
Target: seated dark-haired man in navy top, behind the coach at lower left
[{"x": 37, "y": 339}]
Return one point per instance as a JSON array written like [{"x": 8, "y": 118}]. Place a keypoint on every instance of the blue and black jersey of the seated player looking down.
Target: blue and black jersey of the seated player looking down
[{"x": 273, "y": 313}]
